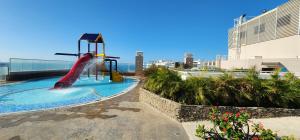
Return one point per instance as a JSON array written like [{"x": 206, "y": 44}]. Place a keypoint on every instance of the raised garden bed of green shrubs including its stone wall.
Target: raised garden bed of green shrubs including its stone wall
[{"x": 193, "y": 98}]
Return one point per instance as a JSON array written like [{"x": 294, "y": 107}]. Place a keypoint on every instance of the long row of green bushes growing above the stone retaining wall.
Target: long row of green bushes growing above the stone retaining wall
[{"x": 226, "y": 90}]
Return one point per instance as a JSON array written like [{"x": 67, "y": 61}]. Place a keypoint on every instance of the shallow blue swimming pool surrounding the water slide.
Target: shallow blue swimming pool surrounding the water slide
[{"x": 35, "y": 94}]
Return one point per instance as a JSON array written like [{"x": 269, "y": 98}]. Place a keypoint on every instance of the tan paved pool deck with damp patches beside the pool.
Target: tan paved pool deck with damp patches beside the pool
[{"x": 122, "y": 117}]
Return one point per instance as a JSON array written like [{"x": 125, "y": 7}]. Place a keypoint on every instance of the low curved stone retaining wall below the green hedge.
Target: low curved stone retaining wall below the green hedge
[{"x": 185, "y": 113}]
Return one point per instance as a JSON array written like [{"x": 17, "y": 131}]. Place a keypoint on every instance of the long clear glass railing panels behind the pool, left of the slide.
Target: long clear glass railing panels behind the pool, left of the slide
[{"x": 24, "y": 65}]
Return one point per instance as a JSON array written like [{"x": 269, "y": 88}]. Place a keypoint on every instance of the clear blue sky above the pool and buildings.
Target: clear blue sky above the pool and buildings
[{"x": 163, "y": 29}]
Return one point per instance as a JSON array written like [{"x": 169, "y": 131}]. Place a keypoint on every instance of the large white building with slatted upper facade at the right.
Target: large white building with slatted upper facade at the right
[{"x": 268, "y": 41}]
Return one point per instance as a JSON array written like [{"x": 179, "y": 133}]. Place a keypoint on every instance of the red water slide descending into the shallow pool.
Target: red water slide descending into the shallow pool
[{"x": 74, "y": 73}]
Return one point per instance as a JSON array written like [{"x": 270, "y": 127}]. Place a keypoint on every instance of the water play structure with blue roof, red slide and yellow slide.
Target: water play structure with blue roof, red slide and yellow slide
[{"x": 84, "y": 59}]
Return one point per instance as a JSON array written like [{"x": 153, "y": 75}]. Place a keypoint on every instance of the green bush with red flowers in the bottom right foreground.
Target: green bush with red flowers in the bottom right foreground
[{"x": 235, "y": 126}]
